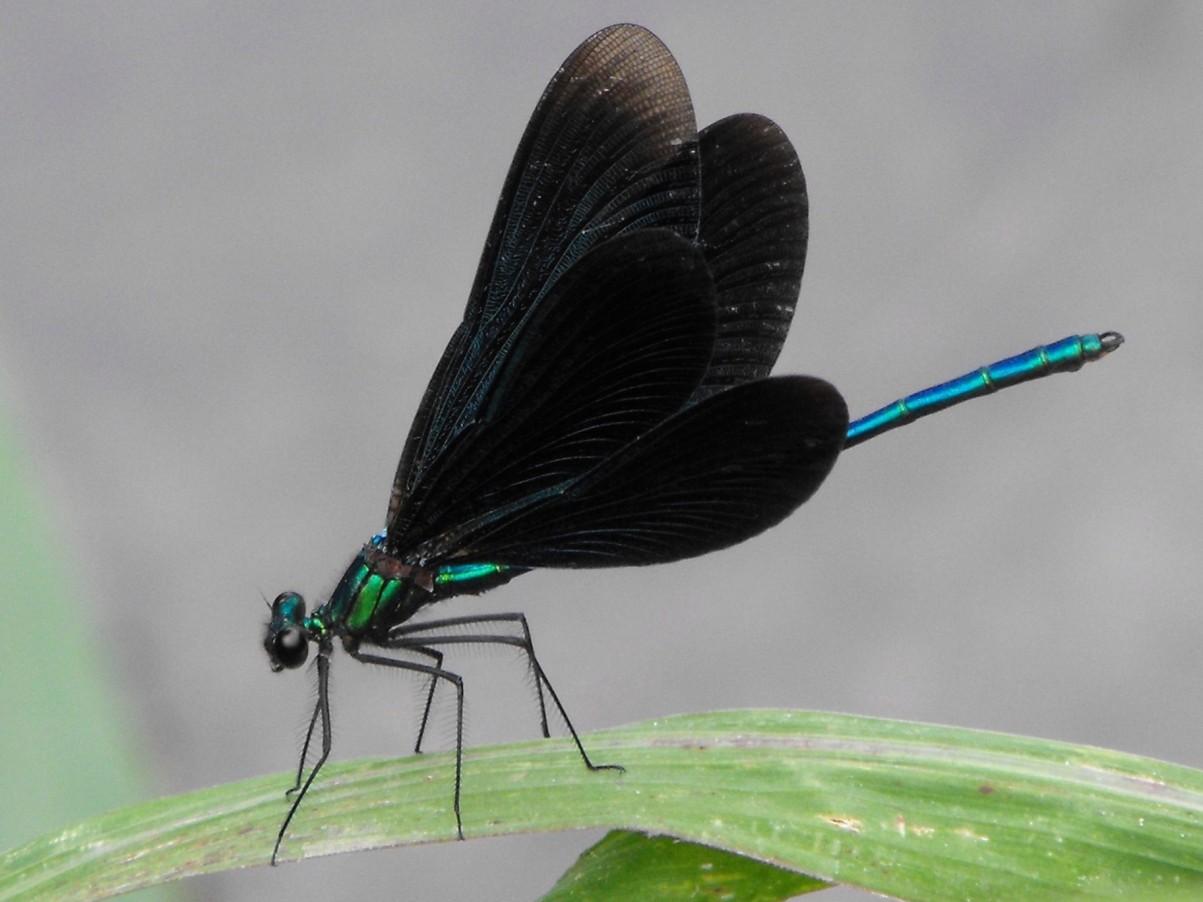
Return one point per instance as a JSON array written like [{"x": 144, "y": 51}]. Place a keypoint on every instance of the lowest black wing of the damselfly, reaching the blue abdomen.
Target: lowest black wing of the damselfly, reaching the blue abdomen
[{"x": 715, "y": 474}]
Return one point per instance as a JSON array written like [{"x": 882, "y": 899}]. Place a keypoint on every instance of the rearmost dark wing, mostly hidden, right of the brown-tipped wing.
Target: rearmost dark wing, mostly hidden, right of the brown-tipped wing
[{"x": 754, "y": 234}]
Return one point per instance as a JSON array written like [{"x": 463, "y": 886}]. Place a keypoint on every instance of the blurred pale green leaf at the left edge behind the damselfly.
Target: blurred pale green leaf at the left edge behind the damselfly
[{"x": 66, "y": 749}]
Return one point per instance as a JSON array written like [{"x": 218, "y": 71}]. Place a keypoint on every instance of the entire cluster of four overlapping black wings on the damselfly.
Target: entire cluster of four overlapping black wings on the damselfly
[{"x": 583, "y": 416}]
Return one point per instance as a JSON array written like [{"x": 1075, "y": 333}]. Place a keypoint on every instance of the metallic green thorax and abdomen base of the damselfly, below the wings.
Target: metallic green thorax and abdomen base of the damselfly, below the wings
[{"x": 380, "y": 591}]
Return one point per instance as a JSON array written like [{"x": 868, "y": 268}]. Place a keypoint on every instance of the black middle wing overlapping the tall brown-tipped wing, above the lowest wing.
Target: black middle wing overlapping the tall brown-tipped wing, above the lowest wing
[{"x": 618, "y": 347}]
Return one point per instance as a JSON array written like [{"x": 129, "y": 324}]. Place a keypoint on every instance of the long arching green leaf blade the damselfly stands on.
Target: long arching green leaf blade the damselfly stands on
[{"x": 899, "y": 809}]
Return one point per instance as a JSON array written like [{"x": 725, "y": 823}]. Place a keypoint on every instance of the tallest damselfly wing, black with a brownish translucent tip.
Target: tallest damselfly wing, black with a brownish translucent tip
[{"x": 612, "y": 147}]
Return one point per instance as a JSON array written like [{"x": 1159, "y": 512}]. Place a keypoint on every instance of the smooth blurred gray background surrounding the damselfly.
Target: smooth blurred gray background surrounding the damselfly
[{"x": 238, "y": 238}]
